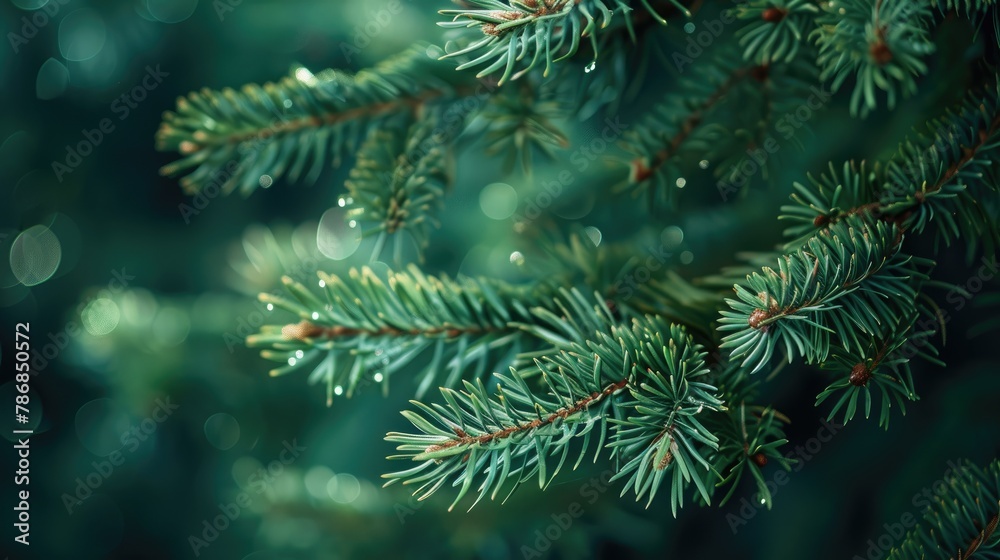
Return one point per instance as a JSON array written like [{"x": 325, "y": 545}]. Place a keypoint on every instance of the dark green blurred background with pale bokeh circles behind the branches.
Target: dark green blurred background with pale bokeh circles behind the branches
[{"x": 137, "y": 310}]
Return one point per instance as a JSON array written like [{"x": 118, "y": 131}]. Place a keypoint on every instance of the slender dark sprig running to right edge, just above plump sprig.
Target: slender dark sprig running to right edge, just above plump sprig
[{"x": 945, "y": 177}]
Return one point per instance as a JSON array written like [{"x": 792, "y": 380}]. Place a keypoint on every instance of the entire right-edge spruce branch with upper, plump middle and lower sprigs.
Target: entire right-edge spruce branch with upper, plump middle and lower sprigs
[{"x": 868, "y": 335}]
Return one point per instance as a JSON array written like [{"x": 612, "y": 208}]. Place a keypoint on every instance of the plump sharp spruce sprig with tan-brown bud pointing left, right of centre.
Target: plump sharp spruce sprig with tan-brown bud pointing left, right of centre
[{"x": 848, "y": 279}]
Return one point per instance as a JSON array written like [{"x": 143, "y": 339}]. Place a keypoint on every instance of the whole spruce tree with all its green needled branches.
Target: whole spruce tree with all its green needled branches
[{"x": 517, "y": 382}]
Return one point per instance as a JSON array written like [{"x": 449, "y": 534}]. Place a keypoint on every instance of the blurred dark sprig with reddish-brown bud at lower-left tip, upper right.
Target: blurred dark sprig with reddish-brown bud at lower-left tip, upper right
[{"x": 712, "y": 118}]
